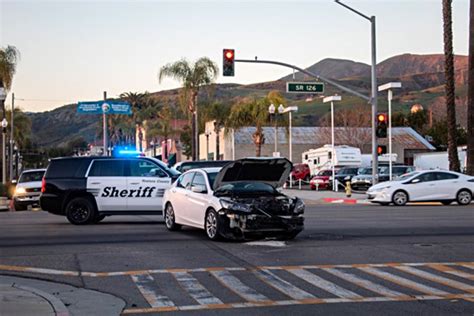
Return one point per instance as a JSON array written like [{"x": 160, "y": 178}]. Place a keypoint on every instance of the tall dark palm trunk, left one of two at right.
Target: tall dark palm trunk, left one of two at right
[{"x": 449, "y": 86}]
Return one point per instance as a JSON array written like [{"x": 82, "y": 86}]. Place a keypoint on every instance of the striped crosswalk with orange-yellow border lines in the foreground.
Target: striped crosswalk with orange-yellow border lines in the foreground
[{"x": 288, "y": 285}]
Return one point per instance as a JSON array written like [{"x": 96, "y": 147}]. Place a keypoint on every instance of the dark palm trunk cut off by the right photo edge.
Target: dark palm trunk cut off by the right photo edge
[{"x": 470, "y": 95}]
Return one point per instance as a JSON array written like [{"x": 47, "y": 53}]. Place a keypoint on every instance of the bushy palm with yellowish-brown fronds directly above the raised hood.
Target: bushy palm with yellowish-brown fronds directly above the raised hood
[{"x": 253, "y": 112}]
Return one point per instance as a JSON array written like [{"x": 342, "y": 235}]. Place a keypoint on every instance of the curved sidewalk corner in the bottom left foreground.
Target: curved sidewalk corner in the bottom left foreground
[{"x": 22, "y": 296}]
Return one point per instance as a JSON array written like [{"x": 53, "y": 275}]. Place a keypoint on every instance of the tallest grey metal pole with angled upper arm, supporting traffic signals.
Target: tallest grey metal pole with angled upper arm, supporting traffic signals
[{"x": 373, "y": 99}]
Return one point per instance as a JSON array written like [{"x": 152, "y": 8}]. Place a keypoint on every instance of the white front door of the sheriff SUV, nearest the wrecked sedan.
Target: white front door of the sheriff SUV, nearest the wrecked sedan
[{"x": 146, "y": 184}]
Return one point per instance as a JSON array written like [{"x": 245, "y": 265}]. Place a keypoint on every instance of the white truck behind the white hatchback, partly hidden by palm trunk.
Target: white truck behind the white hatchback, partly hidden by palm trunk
[{"x": 438, "y": 160}]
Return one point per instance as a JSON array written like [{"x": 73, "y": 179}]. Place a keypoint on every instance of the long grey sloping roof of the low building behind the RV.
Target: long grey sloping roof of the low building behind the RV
[{"x": 319, "y": 136}]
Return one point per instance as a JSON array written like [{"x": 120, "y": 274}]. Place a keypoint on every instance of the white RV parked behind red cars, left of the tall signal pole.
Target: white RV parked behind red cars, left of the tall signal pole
[{"x": 321, "y": 158}]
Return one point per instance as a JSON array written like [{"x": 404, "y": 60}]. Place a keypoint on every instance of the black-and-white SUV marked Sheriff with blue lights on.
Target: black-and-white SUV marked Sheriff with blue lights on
[{"x": 87, "y": 189}]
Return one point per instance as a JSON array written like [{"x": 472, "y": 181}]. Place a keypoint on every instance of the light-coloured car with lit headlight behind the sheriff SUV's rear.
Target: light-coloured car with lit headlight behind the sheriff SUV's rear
[{"x": 28, "y": 189}]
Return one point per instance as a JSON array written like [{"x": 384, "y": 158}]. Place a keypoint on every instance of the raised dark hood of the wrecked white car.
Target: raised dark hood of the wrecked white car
[{"x": 273, "y": 171}]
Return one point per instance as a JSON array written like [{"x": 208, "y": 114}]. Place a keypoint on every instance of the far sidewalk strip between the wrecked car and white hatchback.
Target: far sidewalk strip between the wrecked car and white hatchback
[{"x": 326, "y": 196}]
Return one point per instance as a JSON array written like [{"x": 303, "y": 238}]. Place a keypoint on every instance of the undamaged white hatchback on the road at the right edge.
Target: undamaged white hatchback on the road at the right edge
[{"x": 424, "y": 186}]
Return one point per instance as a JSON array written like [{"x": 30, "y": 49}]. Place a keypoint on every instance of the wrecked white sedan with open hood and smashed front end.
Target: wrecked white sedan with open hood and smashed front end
[{"x": 238, "y": 200}]
